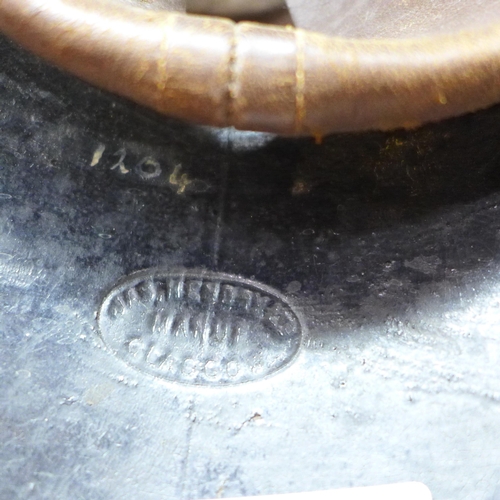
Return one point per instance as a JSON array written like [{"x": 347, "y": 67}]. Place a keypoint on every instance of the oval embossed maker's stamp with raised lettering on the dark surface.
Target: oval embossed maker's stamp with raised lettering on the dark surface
[{"x": 199, "y": 328}]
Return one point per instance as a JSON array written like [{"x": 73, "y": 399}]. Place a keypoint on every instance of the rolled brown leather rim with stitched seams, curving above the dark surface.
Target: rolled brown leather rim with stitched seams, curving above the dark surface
[{"x": 278, "y": 79}]
